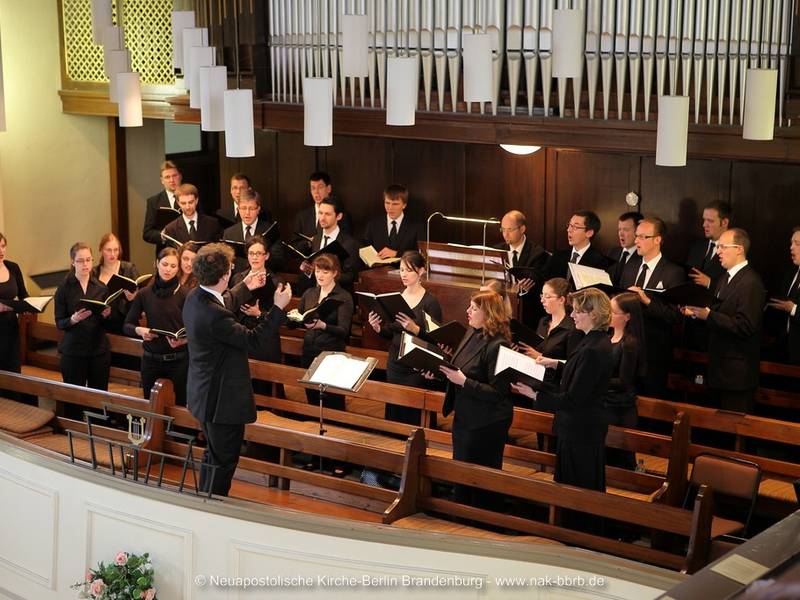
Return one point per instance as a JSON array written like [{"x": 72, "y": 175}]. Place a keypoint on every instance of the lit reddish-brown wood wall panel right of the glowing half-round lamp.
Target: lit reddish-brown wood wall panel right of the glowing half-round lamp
[{"x": 594, "y": 181}]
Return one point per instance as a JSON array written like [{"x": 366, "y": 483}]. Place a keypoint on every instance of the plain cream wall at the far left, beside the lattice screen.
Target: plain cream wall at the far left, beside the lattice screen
[{"x": 53, "y": 167}]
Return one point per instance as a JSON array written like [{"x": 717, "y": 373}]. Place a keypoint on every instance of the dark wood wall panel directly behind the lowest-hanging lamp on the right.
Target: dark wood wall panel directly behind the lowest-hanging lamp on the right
[{"x": 677, "y": 195}]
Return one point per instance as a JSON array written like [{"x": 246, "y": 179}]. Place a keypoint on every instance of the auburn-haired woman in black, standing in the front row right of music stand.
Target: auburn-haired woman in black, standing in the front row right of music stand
[{"x": 482, "y": 405}]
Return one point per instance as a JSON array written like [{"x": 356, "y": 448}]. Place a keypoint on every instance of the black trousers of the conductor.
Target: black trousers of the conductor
[{"x": 223, "y": 446}]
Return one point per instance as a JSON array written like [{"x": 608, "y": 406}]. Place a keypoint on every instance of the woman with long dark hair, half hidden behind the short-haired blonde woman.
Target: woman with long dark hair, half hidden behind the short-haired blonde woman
[{"x": 629, "y": 355}]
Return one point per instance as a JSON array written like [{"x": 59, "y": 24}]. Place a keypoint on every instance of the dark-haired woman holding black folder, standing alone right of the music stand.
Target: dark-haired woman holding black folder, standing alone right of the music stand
[{"x": 420, "y": 301}]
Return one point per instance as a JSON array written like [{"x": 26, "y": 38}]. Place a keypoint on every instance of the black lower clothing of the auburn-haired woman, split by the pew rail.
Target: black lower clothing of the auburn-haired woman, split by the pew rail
[{"x": 482, "y": 446}]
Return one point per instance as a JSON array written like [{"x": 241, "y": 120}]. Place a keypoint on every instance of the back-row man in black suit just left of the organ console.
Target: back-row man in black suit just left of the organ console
[{"x": 393, "y": 233}]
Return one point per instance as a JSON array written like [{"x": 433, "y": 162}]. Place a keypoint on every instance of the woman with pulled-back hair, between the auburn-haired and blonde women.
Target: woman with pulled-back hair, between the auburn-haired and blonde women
[{"x": 560, "y": 337}]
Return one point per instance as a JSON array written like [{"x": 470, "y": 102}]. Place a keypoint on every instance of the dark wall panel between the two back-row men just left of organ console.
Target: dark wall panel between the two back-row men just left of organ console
[{"x": 358, "y": 168}]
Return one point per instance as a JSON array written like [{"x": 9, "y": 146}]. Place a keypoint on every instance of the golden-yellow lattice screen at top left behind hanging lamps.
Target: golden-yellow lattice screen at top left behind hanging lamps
[{"x": 148, "y": 35}]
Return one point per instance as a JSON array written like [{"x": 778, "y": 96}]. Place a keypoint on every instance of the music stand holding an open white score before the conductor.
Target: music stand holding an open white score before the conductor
[{"x": 338, "y": 370}]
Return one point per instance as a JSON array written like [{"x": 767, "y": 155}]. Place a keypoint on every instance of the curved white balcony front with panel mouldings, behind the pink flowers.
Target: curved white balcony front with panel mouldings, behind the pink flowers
[{"x": 55, "y": 524}]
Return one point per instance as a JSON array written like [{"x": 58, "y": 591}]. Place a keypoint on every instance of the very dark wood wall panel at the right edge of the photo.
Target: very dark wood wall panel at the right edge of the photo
[{"x": 764, "y": 198}]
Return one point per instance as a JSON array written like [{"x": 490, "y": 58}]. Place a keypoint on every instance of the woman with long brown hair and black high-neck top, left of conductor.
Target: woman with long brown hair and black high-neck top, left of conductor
[{"x": 162, "y": 304}]
